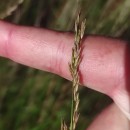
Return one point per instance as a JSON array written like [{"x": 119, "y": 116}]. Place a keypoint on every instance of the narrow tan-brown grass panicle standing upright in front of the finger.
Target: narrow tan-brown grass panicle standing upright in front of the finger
[{"x": 74, "y": 69}]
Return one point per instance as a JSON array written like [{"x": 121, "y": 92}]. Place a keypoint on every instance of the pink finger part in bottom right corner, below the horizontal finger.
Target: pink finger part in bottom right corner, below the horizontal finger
[{"x": 111, "y": 118}]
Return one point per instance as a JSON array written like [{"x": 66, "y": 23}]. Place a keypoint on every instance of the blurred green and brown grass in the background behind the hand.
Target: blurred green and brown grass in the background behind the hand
[{"x": 31, "y": 99}]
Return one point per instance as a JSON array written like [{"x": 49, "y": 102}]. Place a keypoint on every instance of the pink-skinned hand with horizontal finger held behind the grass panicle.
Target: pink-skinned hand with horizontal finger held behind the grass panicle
[{"x": 102, "y": 67}]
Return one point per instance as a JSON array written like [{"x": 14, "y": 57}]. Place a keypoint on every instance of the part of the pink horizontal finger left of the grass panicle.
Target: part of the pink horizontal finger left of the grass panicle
[{"x": 38, "y": 48}]
